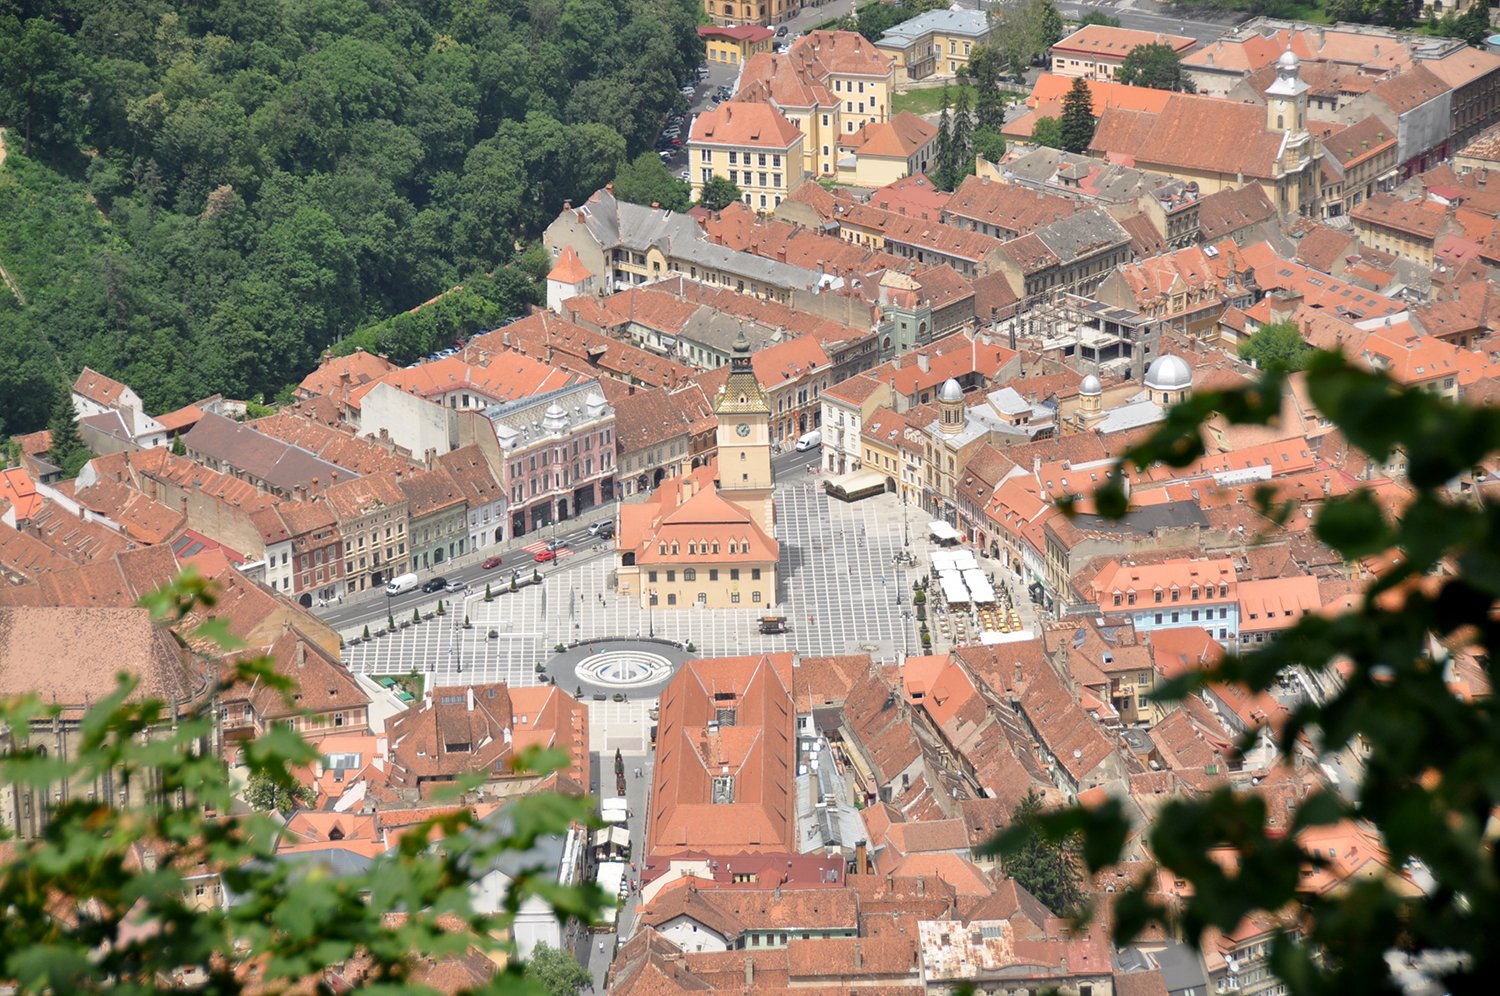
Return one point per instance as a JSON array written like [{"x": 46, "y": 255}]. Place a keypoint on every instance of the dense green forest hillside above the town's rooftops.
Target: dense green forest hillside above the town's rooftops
[{"x": 202, "y": 197}]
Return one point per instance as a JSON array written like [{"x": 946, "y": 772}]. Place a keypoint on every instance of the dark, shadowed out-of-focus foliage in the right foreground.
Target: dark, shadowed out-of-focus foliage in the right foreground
[{"x": 1421, "y": 779}]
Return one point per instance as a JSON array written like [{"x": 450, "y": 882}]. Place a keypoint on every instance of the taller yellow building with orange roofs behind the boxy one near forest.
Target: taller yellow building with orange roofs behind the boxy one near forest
[{"x": 830, "y": 86}]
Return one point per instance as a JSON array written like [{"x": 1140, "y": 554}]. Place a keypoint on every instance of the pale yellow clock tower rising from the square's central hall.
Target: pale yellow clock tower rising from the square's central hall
[{"x": 745, "y": 440}]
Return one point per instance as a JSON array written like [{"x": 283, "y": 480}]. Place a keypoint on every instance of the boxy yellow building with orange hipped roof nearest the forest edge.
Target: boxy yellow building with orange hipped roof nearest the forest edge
[{"x": 754, "y": 146}]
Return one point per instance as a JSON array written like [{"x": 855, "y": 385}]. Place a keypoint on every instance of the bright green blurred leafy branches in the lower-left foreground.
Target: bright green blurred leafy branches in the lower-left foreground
[{"x": 83, "y": 914}]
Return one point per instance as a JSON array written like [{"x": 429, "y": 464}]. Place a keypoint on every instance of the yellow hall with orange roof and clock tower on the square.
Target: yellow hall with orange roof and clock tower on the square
[{"x": 709, "y": 539}]
